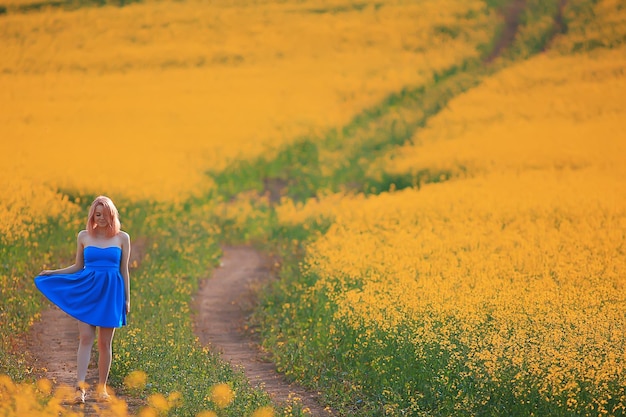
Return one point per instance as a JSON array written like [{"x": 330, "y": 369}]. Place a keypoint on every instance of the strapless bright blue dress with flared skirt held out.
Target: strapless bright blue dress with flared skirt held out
[{"x": 95, "y": 295}]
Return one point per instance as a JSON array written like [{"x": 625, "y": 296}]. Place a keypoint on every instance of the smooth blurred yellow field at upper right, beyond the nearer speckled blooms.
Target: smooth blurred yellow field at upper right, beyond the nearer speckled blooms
[{"x": 550, "y": 112}]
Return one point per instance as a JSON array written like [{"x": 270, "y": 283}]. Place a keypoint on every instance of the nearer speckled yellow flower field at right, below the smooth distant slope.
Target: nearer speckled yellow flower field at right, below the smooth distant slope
[{"x": 527, "y": 268}]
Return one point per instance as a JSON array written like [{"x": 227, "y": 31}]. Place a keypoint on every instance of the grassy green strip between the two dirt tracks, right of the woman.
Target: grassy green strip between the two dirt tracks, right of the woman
[{"x": 159, "y": 340}]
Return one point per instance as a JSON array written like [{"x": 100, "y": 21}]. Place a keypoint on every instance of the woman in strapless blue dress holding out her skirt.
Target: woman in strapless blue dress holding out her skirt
[{"x": 95, "y": 290}]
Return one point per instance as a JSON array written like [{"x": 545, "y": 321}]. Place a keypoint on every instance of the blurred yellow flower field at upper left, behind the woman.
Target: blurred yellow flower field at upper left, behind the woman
[{"x": 139, "y": 102}]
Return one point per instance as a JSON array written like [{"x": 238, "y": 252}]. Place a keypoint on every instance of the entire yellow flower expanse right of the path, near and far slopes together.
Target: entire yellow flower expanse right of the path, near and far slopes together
[{"x": 514, "y": 269}]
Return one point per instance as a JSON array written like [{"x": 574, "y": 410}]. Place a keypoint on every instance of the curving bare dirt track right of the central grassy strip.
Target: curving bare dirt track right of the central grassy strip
[{"x": 222, "y": 306}]
